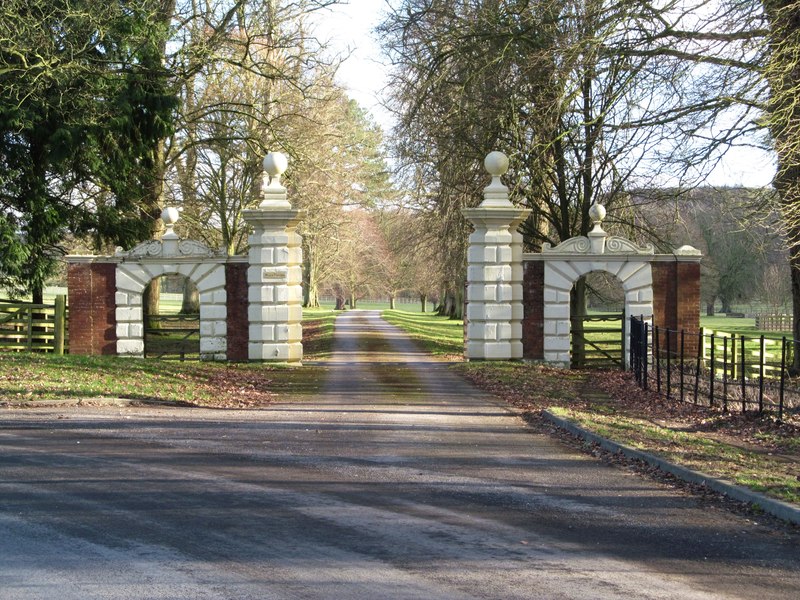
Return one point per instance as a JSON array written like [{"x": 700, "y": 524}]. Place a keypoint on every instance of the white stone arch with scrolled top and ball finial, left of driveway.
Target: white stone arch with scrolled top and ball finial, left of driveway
[{"x": 171, "y": 256}]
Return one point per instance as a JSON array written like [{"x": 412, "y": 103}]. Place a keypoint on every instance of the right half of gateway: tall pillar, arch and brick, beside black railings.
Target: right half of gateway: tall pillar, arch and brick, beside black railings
[{"x": 519, "y": 304}]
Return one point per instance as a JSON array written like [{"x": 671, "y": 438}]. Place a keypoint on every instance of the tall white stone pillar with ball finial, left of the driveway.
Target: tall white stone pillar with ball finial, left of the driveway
[{"x": 274, "y": 277}]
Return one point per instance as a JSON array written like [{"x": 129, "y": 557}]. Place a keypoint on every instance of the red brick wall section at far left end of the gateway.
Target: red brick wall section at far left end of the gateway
[{"x": 92, "y": 312}]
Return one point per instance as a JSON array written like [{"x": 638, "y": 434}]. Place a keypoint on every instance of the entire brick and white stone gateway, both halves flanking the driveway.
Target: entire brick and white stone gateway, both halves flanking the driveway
[{"x": 250, "y": 306}]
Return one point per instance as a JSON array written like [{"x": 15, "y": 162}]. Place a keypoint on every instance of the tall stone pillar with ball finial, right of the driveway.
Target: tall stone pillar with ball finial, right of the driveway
[{"x": 494, "y": 274}]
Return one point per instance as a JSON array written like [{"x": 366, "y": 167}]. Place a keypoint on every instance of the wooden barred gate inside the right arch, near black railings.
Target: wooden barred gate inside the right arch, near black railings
[{"x": 598, "y": 341}]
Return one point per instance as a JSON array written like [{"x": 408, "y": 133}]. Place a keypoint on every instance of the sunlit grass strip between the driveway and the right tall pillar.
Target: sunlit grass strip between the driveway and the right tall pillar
[{"x": 438, "y": 335}]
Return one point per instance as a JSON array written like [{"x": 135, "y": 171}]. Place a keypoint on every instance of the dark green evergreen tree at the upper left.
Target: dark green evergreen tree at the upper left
[{"x": 72, "y": 81}]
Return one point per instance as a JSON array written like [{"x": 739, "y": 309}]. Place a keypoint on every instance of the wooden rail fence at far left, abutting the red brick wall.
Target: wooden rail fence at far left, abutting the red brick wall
[{"x": 26, "y": 327}]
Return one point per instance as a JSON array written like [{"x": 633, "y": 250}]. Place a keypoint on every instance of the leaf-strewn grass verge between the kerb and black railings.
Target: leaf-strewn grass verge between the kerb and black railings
[{"x": 754, "y": 452}]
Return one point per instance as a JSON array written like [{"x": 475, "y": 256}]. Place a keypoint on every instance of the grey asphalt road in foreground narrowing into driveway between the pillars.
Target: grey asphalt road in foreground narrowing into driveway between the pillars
[{"x": 401, "y": 481}]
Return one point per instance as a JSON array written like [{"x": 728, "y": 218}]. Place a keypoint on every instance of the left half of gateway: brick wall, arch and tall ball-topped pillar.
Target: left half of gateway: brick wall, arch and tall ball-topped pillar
[{"x": 250, "y": 306}]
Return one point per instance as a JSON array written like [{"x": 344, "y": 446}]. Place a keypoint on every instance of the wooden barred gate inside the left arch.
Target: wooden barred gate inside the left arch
[{"x": 172, "y": 336}]
